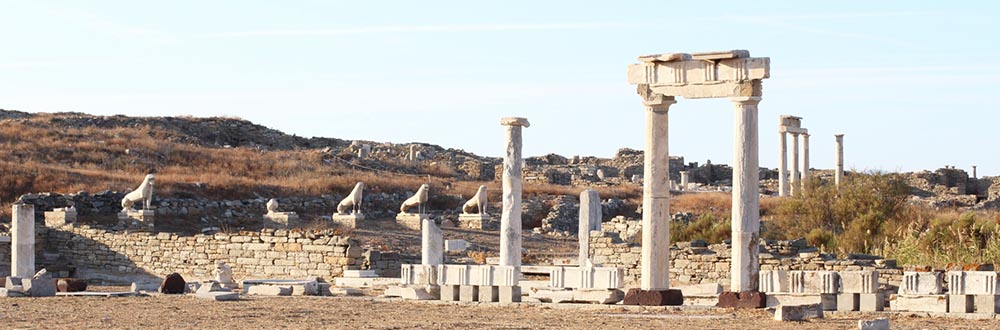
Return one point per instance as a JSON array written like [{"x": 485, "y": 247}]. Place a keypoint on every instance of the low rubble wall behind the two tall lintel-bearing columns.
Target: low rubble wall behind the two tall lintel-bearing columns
[{"x": 698, "y": 262}]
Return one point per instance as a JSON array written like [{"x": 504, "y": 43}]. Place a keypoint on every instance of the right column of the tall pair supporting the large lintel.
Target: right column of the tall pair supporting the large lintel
[{"x": 746, "y": 197}]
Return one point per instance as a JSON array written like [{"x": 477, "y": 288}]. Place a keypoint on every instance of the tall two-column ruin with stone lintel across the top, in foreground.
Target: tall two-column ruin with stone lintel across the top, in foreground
[{"x": 660, "y": 78}]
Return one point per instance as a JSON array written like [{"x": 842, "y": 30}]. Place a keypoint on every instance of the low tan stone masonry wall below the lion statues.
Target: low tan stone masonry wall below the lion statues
[{"x": 269, "y": 253}]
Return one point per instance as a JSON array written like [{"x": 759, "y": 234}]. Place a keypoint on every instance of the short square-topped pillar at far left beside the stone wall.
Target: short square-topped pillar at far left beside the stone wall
[{"x": 22, "y": 244}]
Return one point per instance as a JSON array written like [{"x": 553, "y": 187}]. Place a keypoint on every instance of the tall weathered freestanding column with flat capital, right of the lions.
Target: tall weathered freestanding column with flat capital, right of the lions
[{"x": 510, "y": 218}]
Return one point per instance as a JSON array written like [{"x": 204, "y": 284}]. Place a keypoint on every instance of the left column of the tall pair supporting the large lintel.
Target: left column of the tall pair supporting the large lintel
[{"x": 655, "y": 260}]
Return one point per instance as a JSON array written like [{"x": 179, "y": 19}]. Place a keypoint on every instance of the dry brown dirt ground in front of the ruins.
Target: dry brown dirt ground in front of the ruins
[{"x": 188, "y": 312}]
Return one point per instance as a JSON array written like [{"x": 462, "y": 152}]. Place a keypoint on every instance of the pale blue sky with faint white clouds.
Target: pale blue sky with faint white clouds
[{"x": 911, "y": 84}]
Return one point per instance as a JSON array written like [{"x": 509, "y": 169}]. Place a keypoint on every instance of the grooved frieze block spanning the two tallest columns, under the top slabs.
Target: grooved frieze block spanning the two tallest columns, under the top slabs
[{"x": 699, "y": 72}]
